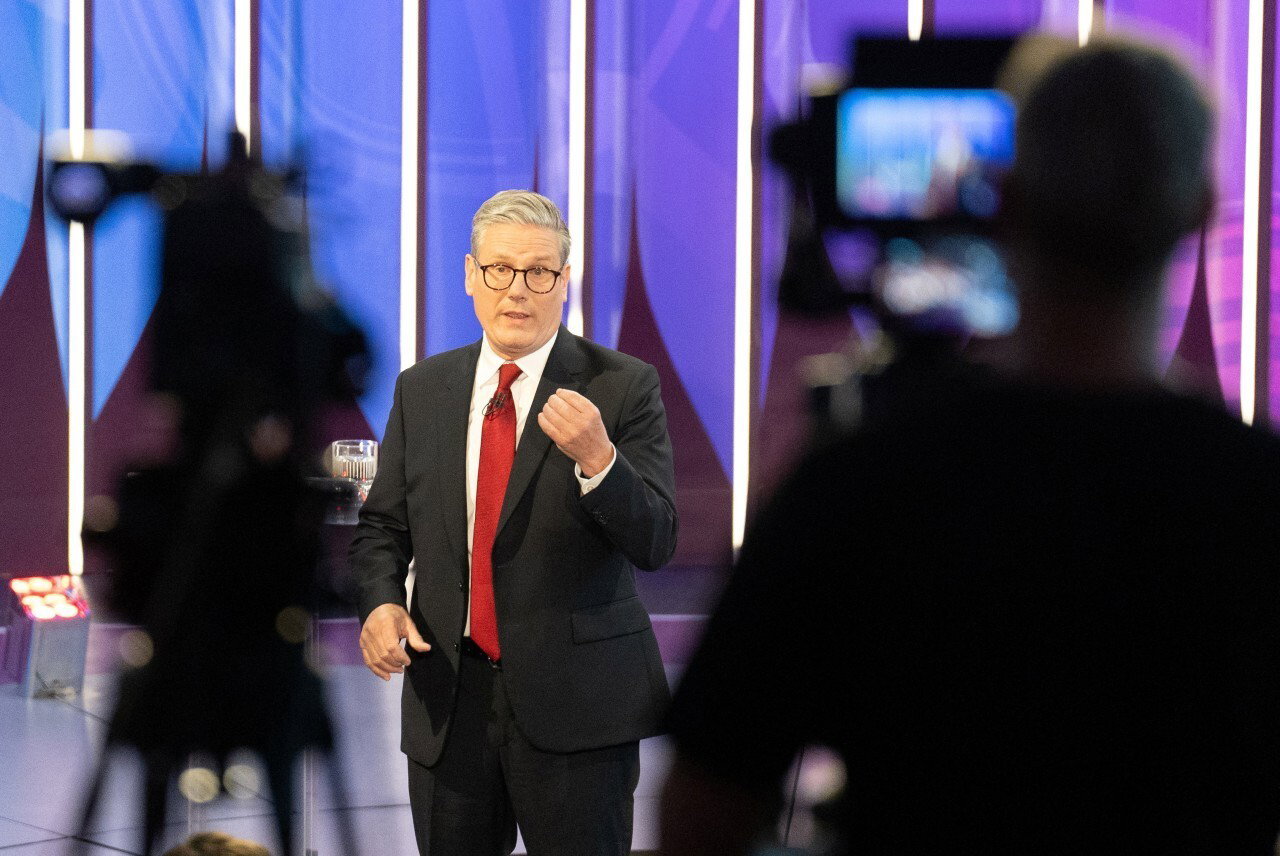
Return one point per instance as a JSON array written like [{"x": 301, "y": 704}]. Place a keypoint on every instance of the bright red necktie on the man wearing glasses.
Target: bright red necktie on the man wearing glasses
[{"x": 497, "y": 452}]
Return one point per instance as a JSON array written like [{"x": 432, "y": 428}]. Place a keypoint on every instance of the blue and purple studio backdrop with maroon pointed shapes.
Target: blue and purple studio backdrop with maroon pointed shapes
[{"x": 662, "y": 83}]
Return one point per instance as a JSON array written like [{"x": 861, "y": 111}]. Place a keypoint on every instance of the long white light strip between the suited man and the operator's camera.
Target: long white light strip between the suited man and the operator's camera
[{"x": 743, "y": 267}]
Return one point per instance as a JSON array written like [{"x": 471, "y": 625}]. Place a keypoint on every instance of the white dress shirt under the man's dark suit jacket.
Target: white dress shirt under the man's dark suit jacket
[{"x": 523, "y": 391}]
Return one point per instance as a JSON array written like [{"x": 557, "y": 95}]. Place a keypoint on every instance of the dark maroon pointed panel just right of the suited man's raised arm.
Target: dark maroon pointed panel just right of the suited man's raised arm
[{"x": 703, "y": 495}]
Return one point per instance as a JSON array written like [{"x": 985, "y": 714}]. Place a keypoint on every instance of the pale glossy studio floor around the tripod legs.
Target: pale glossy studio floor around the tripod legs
[{"x": 51, "y": 748}]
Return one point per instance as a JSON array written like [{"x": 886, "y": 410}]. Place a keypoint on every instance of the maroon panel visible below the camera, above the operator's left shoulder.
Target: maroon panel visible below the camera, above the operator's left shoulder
[{"x": 781, "y": 429}]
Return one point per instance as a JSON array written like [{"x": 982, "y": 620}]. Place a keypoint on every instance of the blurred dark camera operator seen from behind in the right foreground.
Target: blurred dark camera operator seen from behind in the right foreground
[{"x": 1043, "y": 615}]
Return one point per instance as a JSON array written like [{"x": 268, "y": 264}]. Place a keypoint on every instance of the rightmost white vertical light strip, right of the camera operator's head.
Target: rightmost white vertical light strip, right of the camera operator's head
[{"x": 1252, "y": 202}]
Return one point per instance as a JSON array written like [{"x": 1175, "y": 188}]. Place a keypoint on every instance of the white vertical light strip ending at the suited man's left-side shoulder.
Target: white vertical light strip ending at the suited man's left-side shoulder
[{"x": 410, "y": 227}]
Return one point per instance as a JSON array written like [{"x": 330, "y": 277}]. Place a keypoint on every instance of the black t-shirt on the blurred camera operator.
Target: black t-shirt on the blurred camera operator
[{"x": 1031, "y": 622}]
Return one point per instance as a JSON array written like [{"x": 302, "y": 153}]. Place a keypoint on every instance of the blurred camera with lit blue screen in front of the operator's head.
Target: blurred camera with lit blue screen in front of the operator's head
[{"x": 897, "y": 175}]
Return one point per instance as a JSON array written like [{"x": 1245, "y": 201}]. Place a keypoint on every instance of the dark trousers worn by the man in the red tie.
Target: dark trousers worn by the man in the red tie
[{"x": 490, "y": 780}]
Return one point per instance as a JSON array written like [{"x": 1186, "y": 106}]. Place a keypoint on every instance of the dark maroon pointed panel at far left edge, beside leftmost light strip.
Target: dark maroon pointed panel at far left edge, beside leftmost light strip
[{"x": 34, "y": 418}]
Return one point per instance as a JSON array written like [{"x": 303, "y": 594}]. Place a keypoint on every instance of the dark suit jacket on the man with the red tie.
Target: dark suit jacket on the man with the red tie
[{"x": 580, "y": 660}]
